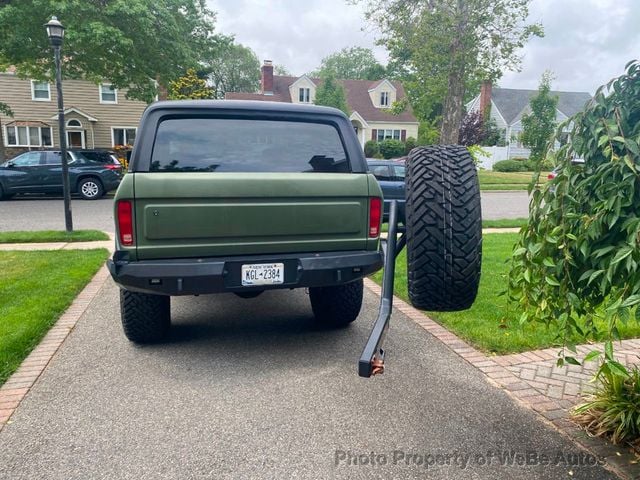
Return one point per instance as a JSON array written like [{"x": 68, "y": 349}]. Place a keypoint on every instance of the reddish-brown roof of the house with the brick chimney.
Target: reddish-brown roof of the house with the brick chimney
[{"x": 357, "y": 93}]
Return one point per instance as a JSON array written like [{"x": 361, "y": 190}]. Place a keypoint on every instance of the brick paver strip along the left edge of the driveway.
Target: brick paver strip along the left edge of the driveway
[{"x": 18, "y": 385}]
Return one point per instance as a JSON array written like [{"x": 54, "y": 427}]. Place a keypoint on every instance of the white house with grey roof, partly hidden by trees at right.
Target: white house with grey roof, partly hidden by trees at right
[{"x": 508, "y": 105}]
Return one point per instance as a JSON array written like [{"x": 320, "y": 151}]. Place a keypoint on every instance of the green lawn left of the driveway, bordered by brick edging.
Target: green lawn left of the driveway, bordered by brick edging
[{"x": 36, "y": 287}]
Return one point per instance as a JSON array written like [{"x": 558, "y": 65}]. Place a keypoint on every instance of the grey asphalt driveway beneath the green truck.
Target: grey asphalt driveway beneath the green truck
[{"x": 254, "y": 389}]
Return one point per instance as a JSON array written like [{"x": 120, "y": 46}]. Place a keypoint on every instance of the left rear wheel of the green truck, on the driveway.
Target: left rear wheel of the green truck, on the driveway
[{"x": 145, "y": 318}]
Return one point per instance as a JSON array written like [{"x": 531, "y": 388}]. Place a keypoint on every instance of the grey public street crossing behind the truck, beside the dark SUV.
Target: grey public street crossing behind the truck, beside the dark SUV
[{"x": 46, "y": 213}]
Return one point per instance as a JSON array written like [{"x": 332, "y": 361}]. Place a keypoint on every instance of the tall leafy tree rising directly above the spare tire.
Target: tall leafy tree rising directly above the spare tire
[{"x": 448, "y": 43}]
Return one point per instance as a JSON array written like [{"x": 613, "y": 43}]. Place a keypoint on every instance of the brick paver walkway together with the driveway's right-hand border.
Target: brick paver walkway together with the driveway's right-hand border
[{"x": 533, "y": 380}]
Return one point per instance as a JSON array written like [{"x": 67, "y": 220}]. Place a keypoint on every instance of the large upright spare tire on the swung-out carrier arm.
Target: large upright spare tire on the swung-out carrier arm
[{"x": 444, "y": 228}]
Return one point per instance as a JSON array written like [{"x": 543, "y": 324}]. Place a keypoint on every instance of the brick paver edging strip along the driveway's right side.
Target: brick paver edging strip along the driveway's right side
[{"x": 551, "y": 411}]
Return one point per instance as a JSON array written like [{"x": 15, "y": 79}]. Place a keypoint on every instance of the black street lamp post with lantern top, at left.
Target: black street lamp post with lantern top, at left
[{"x": 55, "y": 31}]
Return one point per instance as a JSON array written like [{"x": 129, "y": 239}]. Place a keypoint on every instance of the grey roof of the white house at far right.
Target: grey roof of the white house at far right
[{"x": 511, "y": 102}]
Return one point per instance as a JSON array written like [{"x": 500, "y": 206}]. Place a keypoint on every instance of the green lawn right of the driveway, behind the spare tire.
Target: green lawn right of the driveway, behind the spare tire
[{"x": 491, "y": 325}]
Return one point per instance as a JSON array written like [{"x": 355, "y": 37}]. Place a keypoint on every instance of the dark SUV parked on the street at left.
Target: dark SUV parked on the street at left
[{"x": 92, "y": 173}]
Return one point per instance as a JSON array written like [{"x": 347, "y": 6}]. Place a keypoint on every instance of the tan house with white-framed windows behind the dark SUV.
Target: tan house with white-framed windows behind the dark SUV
[{"x": 96, "y": 115}]
